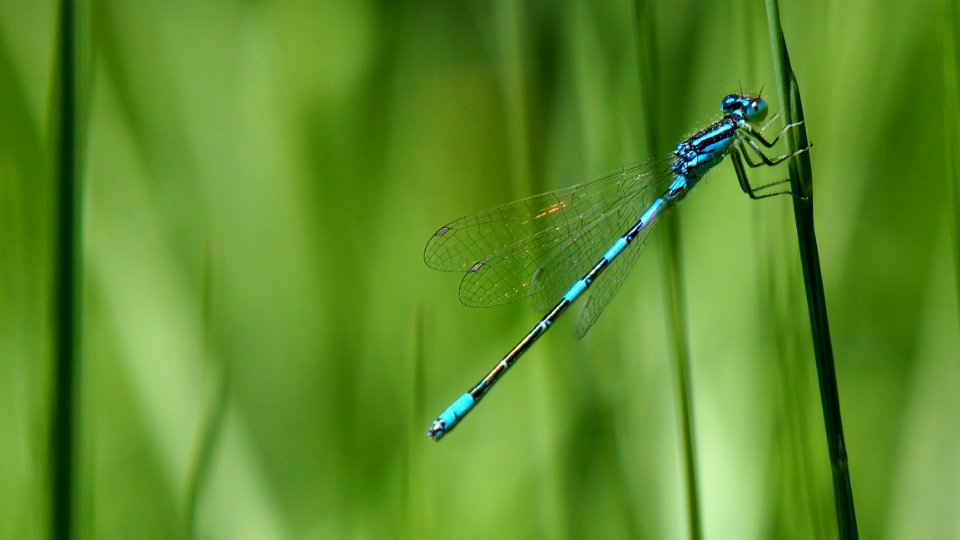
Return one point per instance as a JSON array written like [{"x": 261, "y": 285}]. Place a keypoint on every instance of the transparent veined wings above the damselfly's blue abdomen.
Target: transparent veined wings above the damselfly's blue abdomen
[{"x": 500, "y": 250}]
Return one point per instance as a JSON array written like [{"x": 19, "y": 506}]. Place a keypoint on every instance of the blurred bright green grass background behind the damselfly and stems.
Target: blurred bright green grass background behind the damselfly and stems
[{"x": 263, "y": 347}]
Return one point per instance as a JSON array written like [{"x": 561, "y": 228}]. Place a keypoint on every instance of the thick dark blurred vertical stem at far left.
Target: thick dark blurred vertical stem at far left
[{"x": 66, "y": 285}]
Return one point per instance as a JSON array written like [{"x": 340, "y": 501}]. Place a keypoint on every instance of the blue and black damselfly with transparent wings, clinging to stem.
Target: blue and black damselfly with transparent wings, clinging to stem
[{"x": 540, "y": 247}]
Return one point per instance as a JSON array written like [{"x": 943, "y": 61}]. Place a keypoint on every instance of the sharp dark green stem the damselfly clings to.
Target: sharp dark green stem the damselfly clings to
[{"x": 801, "y": 183}]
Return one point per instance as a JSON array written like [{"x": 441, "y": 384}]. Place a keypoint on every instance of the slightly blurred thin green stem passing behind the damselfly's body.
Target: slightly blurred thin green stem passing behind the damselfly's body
[{"x": 673, "y": 262}]
